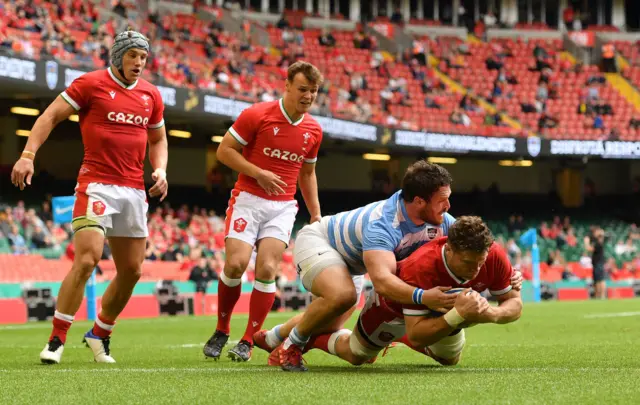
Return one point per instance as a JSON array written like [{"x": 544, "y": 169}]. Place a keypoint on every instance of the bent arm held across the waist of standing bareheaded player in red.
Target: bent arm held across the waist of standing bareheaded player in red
[{"x": 230, "y": 153}]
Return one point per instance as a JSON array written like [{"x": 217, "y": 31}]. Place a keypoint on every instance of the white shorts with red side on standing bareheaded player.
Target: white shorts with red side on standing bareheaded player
[{"x": 250, "y": 218}]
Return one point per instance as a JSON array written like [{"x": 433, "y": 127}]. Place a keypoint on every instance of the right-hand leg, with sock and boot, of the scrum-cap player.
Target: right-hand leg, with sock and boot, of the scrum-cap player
[{"x": 128, "y": 255}]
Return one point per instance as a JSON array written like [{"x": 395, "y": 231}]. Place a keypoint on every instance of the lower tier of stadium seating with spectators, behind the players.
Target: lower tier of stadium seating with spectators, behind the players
[{"x": 190, "y": 235}]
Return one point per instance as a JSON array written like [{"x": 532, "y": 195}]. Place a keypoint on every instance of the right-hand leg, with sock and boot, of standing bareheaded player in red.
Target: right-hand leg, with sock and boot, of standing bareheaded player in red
[{"x": 268, "y": 259}]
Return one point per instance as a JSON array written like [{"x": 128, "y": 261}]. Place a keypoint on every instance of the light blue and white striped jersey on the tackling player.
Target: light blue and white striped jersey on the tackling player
[{"x": 382, "y": 225}]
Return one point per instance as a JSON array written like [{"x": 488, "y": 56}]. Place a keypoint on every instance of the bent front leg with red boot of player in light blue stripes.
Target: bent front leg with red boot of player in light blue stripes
[{"x": 335, "y": 285}]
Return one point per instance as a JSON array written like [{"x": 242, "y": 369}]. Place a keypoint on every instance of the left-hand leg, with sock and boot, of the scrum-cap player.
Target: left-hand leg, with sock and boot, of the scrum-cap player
[{"x": 89, "y": 243}]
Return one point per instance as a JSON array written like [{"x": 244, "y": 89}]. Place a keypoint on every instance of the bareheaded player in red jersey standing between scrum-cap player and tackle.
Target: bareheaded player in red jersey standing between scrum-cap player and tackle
[{"x": 274, "y": 146}]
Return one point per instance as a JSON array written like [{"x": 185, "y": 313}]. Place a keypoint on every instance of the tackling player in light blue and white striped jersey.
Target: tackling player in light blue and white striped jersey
[{"x": 333, "y": 255}]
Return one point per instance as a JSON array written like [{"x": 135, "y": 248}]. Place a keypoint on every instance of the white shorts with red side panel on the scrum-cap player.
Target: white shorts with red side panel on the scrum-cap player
[{"x": 120, "y": 211}]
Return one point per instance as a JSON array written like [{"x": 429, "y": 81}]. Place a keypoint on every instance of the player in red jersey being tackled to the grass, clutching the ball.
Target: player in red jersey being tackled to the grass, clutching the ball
[{"x": 467, "y": 258}]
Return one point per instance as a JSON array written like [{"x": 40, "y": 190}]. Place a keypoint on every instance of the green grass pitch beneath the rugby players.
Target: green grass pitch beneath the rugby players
[{"x": 559, "y": 352}]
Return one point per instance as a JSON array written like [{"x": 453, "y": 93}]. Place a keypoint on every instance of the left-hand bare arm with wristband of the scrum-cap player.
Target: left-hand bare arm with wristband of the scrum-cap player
[{"x": 57, "y": 112}]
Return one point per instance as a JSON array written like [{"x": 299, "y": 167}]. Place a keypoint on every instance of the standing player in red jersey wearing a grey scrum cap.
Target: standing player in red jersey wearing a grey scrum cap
[{"x": 119, "y": 114}]
